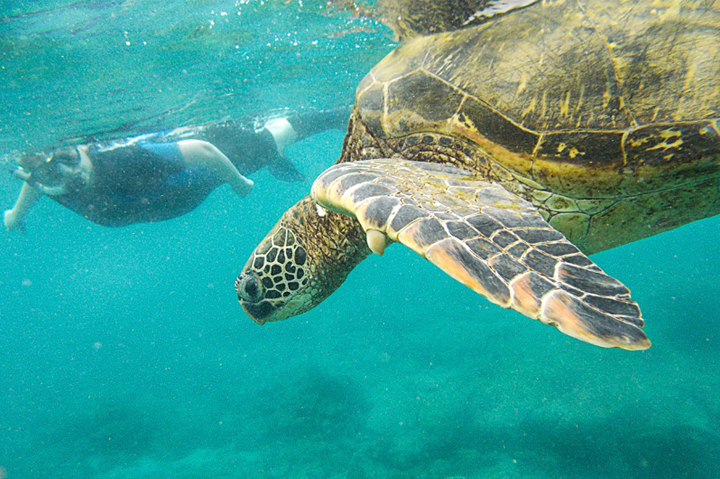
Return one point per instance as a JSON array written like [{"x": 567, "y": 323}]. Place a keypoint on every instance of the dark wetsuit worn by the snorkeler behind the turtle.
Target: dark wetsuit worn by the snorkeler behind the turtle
[{"x": 144, "y": 179}]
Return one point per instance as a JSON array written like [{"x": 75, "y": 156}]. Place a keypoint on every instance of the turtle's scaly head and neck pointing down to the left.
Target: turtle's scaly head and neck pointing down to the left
[{"x": 304, "y": 258}]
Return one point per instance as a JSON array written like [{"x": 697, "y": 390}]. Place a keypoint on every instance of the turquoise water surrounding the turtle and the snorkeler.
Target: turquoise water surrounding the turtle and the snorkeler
[{"x": 124, "y": 353}]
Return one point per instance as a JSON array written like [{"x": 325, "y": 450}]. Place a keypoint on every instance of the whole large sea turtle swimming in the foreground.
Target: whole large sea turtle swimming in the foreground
[{"x": 508, "y": 150}]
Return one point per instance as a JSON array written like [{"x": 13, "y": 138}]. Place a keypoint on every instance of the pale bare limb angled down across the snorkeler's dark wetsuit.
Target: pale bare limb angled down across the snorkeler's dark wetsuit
[{"x": 198, "y": 152}]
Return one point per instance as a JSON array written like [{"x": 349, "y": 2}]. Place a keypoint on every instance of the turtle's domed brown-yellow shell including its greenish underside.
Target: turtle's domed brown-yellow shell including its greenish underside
[{"x": 579, "y": 107}]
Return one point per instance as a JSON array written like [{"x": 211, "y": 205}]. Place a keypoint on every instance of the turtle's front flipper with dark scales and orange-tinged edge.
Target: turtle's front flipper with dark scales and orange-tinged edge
[{"x": 489, "y": 239}]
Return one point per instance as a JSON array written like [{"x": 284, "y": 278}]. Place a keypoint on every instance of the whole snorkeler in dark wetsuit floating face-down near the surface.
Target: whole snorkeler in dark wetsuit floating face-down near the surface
[{"x": 163, "y": 175}]
